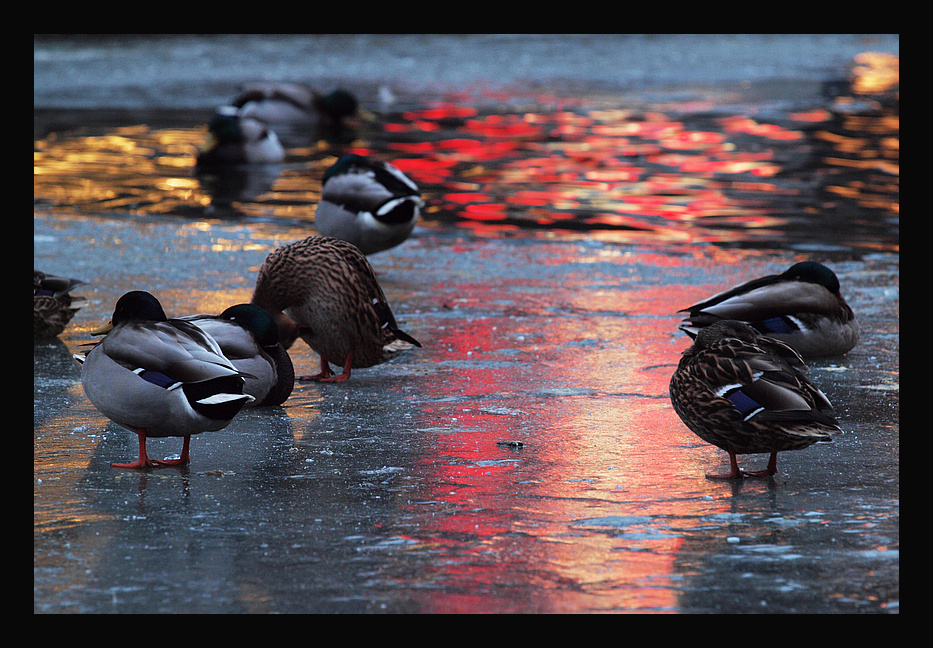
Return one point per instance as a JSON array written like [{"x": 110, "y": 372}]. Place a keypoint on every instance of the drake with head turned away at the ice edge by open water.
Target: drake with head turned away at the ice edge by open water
[{"x": 368, "y": 203}]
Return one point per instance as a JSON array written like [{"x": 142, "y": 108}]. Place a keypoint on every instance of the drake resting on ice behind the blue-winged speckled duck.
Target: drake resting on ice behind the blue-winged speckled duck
[{"x": 801, "y": 306}]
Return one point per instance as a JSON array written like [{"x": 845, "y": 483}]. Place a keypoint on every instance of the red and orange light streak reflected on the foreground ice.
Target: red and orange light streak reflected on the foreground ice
[{"x": 537, "y": 528}]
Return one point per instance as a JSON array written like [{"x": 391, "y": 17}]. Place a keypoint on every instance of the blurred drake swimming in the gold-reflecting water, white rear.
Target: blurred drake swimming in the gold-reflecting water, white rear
[{"x": 232, "y": 139}]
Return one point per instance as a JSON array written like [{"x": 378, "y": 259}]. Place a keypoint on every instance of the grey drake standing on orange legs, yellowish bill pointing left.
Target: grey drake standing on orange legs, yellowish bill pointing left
[{"x": 159, "y": 377}]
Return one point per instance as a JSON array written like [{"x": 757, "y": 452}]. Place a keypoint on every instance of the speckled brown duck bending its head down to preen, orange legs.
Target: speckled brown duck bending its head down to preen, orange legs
[{"x": 323, "y": 290}]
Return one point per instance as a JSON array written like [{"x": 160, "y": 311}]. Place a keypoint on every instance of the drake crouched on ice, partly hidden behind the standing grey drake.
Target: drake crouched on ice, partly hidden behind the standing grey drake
[{"x": 249, "y": 338}]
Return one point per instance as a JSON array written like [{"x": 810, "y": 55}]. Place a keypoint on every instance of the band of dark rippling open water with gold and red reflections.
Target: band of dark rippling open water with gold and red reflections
[{"x": 822, "y": 176}]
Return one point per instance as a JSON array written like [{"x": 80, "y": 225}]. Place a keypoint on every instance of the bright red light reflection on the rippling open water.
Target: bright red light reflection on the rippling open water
[{"x": 606, "y": 171}]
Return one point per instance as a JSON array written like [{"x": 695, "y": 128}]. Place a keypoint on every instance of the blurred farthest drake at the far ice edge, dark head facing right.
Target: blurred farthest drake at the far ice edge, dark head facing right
[{"x": 295, "y": 103}]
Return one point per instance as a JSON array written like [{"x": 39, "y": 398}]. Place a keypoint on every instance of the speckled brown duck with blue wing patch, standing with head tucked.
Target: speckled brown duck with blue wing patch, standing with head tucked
[{"x": 744, "y": 393}]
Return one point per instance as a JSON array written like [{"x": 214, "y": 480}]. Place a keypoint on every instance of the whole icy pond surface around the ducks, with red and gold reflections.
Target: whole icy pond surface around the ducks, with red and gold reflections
[{"x": 527, "y": 459}]
